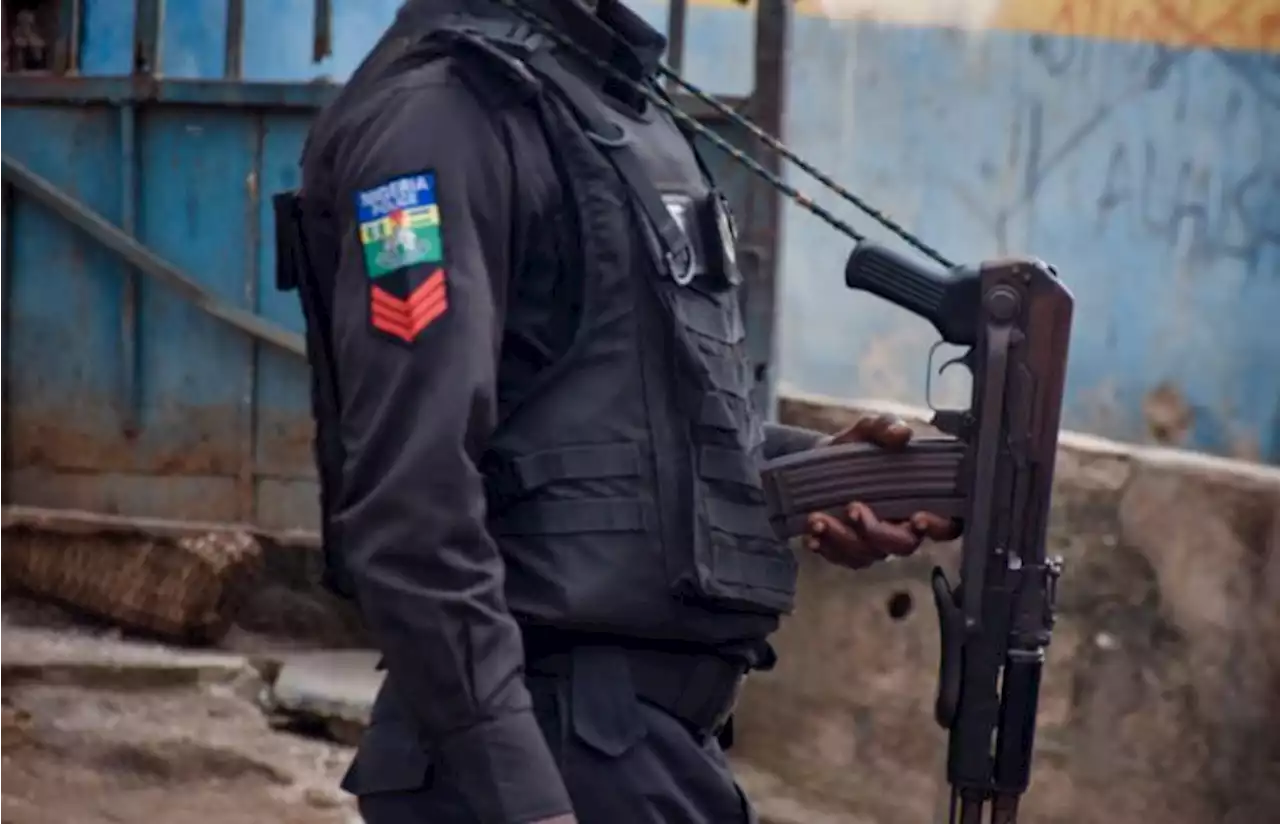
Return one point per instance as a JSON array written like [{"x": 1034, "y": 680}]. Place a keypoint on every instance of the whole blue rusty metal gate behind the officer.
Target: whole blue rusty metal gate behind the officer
[{"x": 148, "y": 367}]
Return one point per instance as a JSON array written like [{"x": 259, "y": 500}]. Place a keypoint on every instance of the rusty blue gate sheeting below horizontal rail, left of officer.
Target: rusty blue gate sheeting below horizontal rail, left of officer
[{"x": 127, "y": 396}]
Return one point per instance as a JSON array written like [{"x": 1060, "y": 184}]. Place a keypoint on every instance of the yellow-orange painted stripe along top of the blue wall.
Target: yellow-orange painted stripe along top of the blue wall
[{"x": 1244, "y": 25}]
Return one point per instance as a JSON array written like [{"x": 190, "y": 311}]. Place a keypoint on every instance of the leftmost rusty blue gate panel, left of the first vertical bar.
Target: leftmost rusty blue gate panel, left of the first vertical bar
[{"x": 61, "y": 286}]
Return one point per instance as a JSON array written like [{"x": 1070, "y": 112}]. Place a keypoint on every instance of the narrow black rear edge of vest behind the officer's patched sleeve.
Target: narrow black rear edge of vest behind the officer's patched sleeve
[{"x": 294, "y": 272}]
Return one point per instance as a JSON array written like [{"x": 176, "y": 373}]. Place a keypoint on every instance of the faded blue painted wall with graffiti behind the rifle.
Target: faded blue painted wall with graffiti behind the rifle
[{"x": 1149, "y": 175}]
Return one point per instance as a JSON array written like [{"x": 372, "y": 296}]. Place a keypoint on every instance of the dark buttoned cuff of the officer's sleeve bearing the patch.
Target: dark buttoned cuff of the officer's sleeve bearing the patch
[{"x": 506, "y": 771}]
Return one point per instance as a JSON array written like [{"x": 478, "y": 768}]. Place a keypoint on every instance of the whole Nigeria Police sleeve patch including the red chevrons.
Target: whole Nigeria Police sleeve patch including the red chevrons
[{"x": 404, "y": 251}]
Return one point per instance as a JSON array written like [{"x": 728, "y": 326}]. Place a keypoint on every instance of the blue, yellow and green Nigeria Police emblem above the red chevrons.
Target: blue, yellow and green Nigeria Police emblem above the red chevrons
[{"x": 400, "y": 225}]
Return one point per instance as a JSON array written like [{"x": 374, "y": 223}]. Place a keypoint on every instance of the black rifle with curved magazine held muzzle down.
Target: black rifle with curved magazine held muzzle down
[{"x": 995, "y": 471}]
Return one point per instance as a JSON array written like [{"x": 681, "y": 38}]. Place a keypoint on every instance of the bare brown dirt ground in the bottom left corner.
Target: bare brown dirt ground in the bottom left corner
[{"x": 71, "y": 756}]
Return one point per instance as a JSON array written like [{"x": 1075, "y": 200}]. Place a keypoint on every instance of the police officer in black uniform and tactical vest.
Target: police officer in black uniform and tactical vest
[{"x": 537, "y": 448}]
